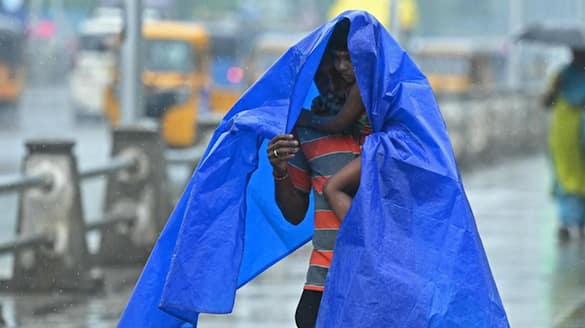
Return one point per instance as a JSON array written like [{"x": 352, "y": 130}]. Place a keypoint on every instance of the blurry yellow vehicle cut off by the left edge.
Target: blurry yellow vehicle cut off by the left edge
[{"x": 11, "y": 61}]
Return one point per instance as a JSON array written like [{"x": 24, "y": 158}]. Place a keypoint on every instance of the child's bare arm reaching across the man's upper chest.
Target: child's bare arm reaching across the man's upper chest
[{"x": 349, "y": 113}]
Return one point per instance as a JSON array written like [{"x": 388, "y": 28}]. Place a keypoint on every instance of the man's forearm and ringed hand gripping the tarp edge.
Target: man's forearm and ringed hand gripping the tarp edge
[{"x": 292, "y": 202}]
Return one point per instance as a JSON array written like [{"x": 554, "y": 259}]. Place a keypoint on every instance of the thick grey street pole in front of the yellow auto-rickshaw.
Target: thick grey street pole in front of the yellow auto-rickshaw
[{"x": 132, "y": 64}]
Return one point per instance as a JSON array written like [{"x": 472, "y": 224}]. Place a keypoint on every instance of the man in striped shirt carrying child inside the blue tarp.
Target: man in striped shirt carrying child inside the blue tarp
[{"x": 322, "y": 145}]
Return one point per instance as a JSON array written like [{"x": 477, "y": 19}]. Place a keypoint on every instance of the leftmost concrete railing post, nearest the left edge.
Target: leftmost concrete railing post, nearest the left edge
[{"x": 56, "y": 212}]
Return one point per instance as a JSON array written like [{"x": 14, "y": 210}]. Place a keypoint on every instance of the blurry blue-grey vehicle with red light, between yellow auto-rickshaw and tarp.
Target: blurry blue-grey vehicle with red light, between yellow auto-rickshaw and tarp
[{"x": 226, "y": 71}]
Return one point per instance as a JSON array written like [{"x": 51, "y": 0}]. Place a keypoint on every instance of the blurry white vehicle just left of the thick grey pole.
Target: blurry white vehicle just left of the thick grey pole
[{"x": 94, "y": 63}]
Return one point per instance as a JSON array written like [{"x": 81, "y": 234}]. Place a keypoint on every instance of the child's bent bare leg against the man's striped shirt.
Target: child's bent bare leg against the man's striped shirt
[{"x": 341, "y": 187}]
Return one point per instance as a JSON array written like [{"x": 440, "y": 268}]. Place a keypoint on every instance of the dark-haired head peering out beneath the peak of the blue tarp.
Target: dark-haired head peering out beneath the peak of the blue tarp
[{"x": 338, "y": 49}]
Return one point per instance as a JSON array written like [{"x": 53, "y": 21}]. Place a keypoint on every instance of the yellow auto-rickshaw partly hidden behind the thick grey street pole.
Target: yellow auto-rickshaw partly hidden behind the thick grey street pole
[{"x": 175, "y": 73}]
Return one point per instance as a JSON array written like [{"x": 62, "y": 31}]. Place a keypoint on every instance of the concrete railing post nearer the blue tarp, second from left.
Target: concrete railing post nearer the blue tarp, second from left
[{"x": 140, "y": 193}]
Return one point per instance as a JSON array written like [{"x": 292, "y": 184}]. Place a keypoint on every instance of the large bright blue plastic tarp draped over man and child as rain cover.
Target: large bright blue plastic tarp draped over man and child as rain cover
[{"x": 408, "y": 254}]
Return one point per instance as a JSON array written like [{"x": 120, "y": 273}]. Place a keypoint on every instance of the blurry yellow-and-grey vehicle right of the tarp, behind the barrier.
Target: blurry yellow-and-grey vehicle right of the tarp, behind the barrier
[{"x": 461, "y": 67}]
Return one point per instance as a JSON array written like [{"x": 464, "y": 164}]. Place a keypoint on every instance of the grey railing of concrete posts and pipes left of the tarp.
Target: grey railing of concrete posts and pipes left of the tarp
[{"x": 136, "y": 202}]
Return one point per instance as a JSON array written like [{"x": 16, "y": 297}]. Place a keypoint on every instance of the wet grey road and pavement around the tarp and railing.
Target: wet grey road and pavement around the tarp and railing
[{"x": 541, "y": 283}]
